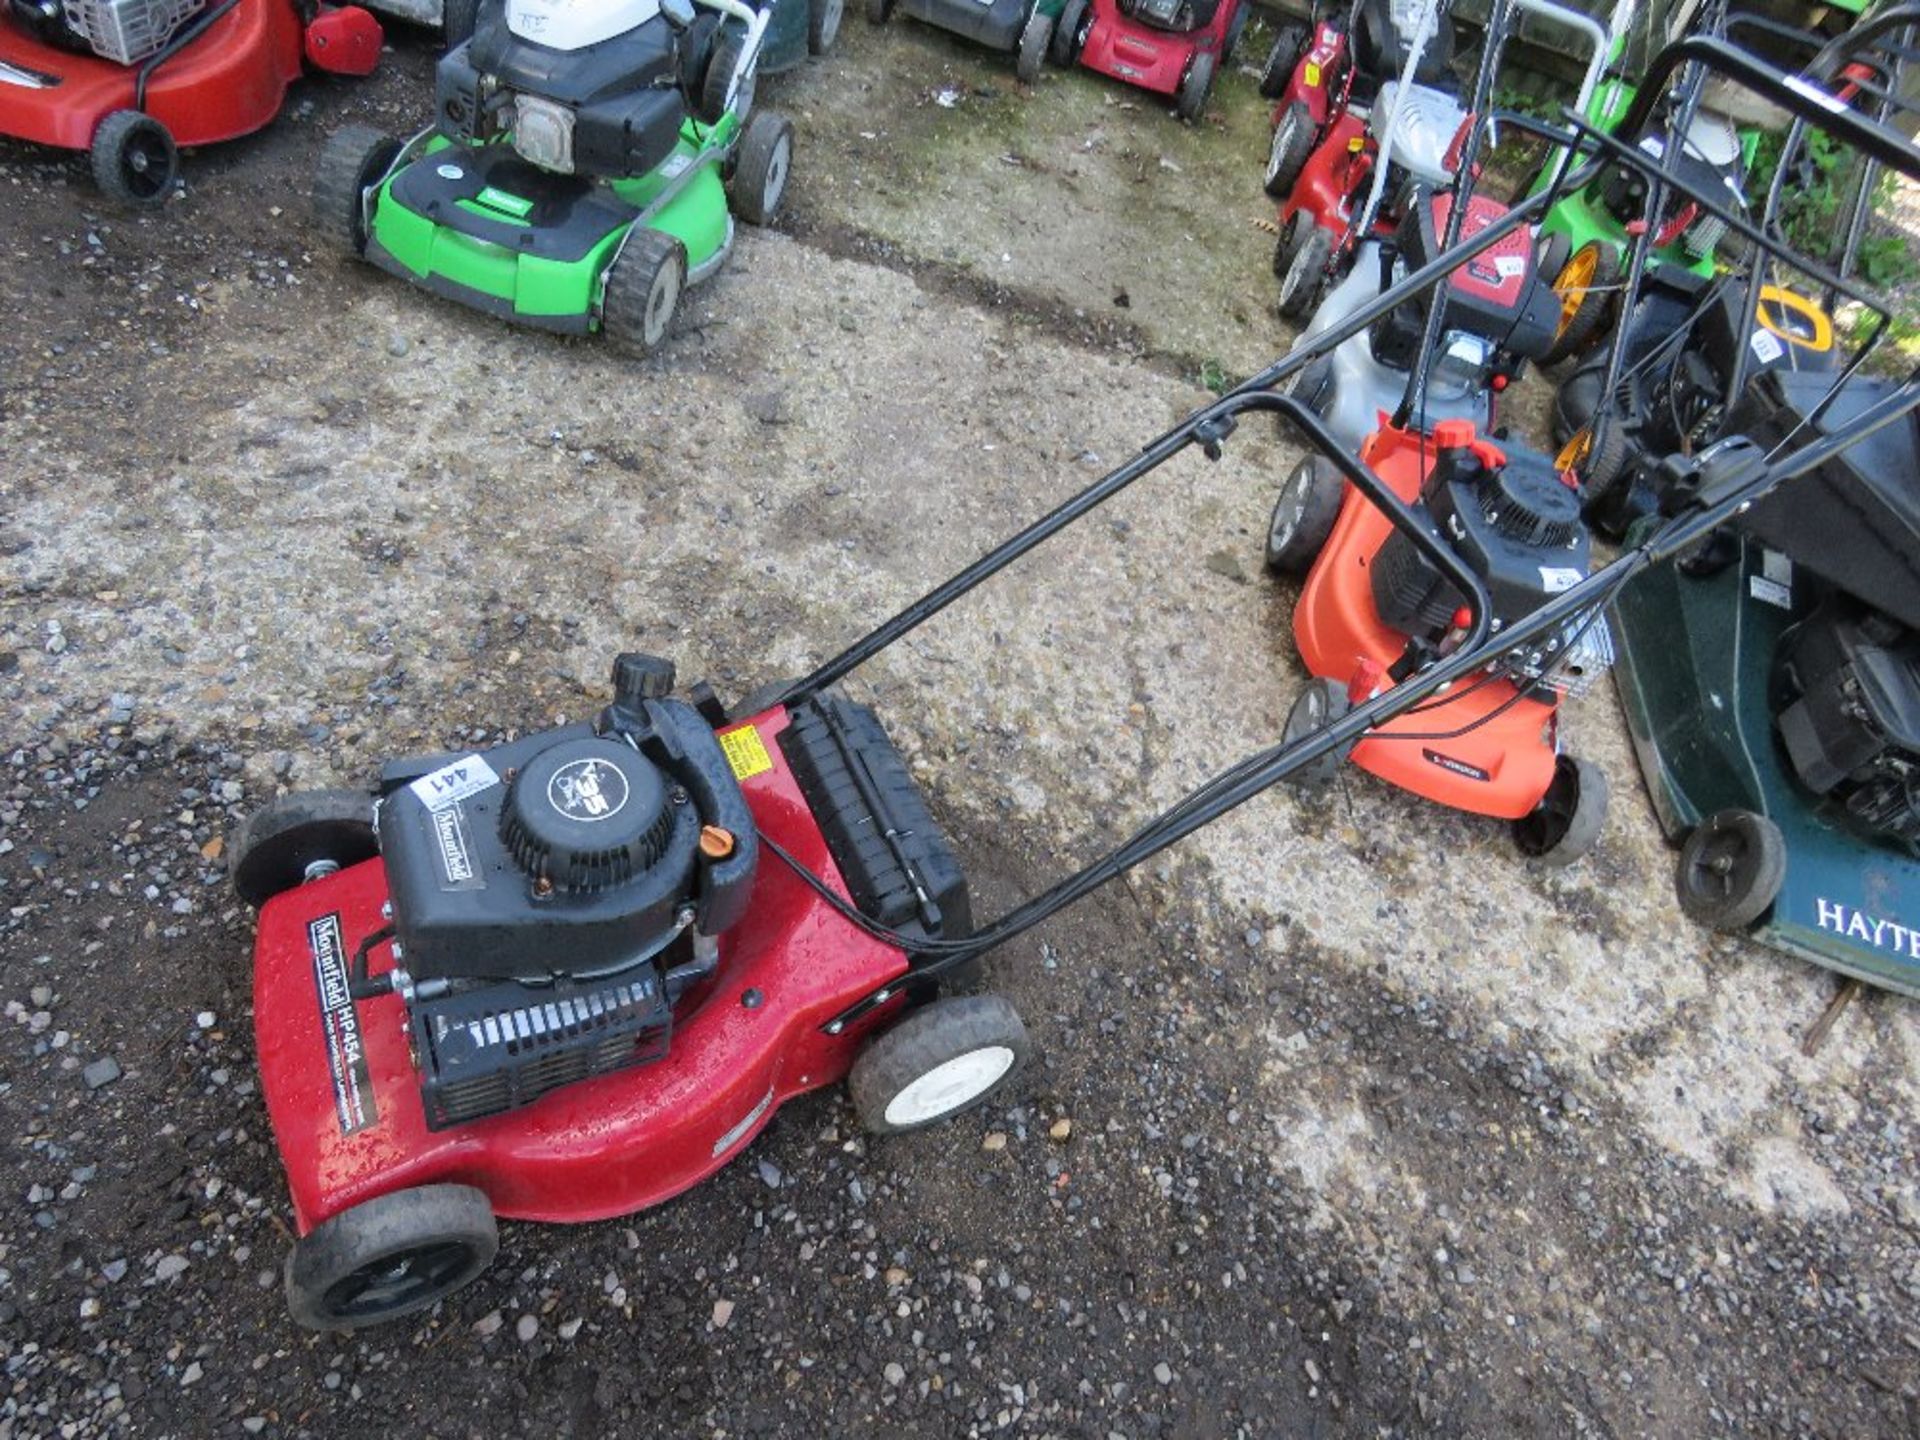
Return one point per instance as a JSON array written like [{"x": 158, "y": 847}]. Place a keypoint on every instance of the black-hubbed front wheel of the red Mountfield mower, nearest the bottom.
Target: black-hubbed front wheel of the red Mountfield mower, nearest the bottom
[{"x": 391, "y": 1257}]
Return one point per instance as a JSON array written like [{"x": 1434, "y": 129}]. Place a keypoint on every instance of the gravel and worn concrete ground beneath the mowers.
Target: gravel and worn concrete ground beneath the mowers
[{"x": 1372, "y": 1128}]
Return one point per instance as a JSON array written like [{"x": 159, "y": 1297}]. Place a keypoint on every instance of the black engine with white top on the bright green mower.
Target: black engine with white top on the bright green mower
[{"x": 587, "y": 89}]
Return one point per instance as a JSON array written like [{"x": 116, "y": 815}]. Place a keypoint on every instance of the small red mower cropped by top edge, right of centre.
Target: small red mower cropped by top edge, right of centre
[{"x": 1174, "y": 47}]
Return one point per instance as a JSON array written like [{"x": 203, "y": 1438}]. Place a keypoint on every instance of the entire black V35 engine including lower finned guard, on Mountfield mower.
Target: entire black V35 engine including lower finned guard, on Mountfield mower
[{"x": 556, "y": 898}]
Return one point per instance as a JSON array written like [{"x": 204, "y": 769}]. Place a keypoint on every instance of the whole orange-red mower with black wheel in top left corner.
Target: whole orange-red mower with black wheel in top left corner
[{"x": 132, "y": 82}]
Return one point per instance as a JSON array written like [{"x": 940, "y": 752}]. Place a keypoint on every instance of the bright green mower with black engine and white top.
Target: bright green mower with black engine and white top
[{"x": 579, "y": 172}]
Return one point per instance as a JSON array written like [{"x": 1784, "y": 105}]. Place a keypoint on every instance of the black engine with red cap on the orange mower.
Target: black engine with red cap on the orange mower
[{"x": 1516, "y": 521}]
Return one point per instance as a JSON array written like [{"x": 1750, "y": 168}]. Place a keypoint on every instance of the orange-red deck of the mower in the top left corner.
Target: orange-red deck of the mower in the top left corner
[{"x": 226, "y": 84}]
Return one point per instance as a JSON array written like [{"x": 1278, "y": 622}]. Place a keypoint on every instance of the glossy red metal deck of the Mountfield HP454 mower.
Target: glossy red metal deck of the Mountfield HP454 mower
[{"x": 345, "y": 1093}]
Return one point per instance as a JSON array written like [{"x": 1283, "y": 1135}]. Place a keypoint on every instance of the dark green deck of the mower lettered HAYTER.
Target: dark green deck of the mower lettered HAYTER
[{"x": 1694, "y": 660}]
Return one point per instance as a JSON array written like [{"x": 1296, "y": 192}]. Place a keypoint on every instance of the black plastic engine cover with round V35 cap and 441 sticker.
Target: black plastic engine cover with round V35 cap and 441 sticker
[{"x": 565, "y": 853}]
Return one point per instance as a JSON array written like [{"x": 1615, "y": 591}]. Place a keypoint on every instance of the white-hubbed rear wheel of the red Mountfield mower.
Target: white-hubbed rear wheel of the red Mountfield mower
[{"x": 944, "y": 1059}]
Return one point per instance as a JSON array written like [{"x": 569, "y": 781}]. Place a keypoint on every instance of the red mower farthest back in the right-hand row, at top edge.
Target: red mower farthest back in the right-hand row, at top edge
[{"x": 1328, "y": 80}]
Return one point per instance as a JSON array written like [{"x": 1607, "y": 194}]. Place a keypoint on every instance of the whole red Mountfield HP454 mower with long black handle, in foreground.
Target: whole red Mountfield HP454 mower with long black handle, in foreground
[{"x": 569, "y": 976}]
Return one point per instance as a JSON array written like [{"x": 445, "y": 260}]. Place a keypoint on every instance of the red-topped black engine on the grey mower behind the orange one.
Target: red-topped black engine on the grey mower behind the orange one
[{"x": 1499, "y": 312}]
